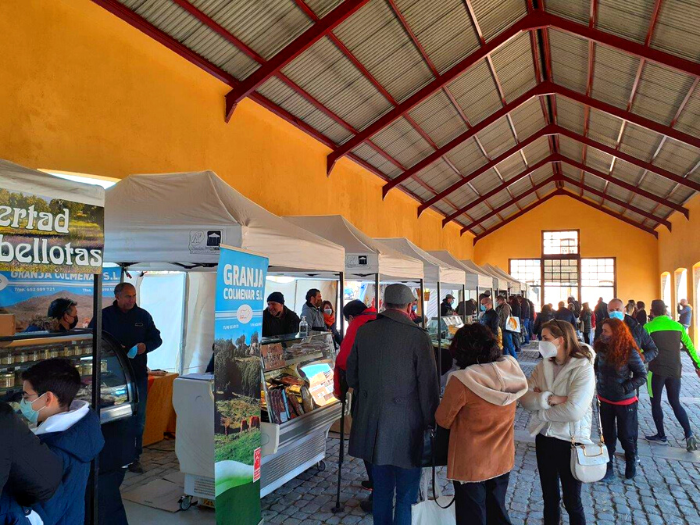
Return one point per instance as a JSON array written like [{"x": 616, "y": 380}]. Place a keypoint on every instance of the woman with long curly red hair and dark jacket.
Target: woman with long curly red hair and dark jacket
[{"x": 620, "y": 372}]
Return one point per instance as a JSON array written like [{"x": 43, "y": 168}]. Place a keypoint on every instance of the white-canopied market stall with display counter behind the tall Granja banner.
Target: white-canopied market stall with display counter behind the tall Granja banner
[{"x": 178, "y": 222}]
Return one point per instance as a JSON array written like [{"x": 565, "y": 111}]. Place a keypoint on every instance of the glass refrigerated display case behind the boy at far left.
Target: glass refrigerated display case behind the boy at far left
[{"x": 117, "y": 389}]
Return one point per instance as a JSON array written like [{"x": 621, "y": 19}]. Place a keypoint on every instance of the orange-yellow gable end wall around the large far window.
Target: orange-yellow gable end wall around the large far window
[{"x": 600, "y": 236}]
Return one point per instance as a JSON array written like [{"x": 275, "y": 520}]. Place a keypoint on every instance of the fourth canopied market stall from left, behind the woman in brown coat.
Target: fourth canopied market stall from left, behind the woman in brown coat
[{"x": 445, "y": 278}]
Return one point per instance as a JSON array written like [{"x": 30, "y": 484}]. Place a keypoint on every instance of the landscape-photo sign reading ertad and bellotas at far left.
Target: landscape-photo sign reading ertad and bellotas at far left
[{"x": 49, "y": 235}]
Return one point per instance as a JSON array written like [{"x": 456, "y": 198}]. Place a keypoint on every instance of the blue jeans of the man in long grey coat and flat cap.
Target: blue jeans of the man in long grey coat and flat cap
[{"x": 387, "y": 481}]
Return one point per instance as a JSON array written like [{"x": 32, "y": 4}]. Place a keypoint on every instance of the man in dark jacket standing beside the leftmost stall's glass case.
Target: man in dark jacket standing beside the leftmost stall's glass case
[{"x": 133, "y": 327}]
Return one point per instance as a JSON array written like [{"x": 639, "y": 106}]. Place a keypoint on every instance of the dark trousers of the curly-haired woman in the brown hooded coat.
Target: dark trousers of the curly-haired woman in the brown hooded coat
[{"x": 482, "y": 503}]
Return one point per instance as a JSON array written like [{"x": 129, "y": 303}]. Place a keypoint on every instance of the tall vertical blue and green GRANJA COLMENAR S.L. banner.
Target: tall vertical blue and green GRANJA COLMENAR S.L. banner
[{"x": 240, "y": 287}]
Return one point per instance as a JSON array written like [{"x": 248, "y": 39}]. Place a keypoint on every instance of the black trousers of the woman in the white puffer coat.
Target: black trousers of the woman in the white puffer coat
[{"x": 554, "y": 465}]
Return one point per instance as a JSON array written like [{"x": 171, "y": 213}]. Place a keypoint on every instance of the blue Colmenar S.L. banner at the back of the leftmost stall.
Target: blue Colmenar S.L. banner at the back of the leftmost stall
[{"x": 27, "y": 295}]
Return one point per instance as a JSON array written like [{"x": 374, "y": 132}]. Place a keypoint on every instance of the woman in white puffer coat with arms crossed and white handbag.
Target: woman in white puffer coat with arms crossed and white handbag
[{"x": 560, "y": 394}]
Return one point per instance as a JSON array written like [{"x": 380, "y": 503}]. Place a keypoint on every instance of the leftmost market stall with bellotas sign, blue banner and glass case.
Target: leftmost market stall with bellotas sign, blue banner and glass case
[{"x": 58, "y": 231}]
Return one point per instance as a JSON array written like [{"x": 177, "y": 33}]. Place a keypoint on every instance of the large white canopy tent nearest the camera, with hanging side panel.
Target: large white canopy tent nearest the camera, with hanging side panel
[{"x": 175, "y": 222}]
